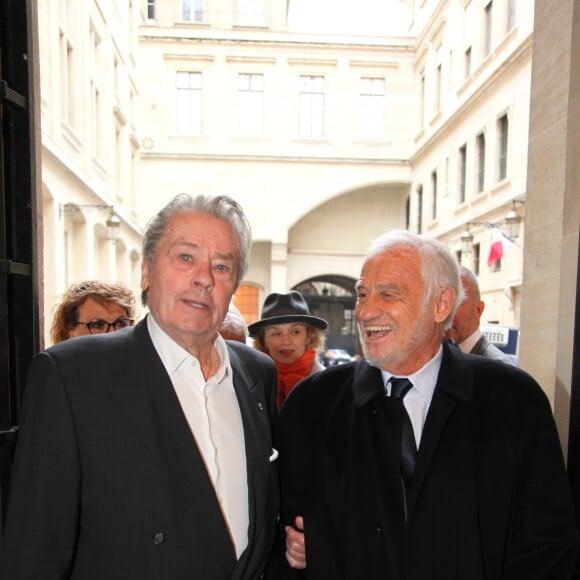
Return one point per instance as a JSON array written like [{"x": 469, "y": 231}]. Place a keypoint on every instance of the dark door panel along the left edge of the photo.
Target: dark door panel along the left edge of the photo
[{"x": 19, "y": 218}]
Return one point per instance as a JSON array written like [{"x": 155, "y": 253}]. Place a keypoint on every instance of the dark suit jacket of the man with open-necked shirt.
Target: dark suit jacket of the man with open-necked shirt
[{"x": 108, "y": 482}]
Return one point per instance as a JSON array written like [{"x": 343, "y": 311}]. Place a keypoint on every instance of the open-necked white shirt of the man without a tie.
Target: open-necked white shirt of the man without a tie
[{"x": 213, "y": 414}]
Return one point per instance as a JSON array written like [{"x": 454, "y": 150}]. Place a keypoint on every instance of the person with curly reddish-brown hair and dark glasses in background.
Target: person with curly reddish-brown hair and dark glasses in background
[{"x": 92, "y": 307}]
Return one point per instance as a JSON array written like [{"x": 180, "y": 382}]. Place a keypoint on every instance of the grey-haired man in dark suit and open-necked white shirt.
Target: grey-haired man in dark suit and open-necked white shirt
[{"x": 148, "y": 453}]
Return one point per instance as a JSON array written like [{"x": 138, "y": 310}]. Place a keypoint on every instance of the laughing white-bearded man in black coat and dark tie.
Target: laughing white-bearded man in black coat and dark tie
[{"x": 419, "y": 461}]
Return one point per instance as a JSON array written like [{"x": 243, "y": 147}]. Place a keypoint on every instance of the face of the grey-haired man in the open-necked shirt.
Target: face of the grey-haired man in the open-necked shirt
[{"x": 191, "y": 278}]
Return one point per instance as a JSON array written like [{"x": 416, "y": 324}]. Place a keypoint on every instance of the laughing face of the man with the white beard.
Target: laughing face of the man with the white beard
[{"x": 400, "y": 330}]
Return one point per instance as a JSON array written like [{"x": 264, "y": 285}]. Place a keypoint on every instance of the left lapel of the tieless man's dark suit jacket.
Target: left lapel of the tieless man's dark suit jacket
[{"x": 152, "y": 407}]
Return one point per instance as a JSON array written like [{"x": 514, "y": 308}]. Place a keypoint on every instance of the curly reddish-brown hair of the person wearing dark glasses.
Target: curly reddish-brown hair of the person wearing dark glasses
[{"x": 66, "y": 312}]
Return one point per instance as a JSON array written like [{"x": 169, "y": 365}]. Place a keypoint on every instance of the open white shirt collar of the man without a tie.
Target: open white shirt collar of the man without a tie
[{"x": 173, "y": 355}]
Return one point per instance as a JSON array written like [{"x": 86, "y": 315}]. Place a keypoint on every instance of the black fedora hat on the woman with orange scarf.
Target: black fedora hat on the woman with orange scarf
[{"x": 285, "y": 308}]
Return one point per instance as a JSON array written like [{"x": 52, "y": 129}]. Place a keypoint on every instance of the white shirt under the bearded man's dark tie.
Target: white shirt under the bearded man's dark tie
[{"x": 418, "y": 399}]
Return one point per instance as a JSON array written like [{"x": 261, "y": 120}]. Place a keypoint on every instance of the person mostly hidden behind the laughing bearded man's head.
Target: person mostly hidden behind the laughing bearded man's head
[{"x": 464, "y": 329}]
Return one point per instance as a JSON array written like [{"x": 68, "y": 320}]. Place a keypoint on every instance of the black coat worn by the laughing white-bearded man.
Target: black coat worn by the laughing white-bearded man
[{"x": 489, "y": 500}]
